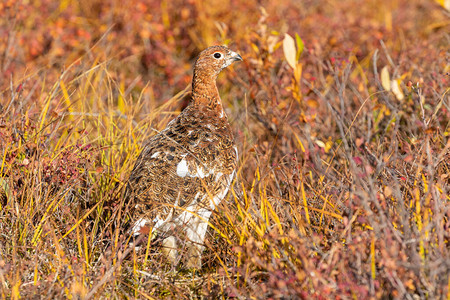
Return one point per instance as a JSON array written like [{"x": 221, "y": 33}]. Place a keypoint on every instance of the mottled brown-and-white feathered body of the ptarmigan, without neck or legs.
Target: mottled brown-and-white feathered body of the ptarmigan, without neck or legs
[{"x": 186, "y": 166}]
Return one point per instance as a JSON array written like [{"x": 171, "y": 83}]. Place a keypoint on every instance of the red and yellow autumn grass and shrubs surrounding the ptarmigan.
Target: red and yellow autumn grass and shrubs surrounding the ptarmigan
[{"x": 343, "y": 184}]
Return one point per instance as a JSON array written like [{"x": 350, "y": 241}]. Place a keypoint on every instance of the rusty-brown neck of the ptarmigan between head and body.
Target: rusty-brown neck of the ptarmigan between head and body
[{"x": 204, "y": 90}]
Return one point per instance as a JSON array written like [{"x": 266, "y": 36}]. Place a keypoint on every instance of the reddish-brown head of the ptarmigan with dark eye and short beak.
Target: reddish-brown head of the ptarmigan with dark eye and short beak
[{"x": 214, "y": 59}]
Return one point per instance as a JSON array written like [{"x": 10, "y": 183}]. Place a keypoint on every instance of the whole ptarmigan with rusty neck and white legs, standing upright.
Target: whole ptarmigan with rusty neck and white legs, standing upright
[{"x": 185, "y": 170}]
